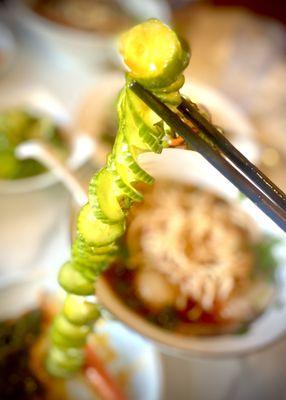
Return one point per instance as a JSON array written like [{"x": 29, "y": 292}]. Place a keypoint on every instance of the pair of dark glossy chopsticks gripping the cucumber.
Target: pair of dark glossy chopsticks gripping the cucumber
[{"x": 219, "y": 152}]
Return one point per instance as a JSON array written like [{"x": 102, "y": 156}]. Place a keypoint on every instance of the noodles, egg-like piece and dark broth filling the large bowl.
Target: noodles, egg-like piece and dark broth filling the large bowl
[{"x": 193, "y": 262}]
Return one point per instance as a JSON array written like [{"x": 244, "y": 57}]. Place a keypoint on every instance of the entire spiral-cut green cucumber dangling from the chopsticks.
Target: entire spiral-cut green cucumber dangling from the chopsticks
[{"x": 156, "y": 58}]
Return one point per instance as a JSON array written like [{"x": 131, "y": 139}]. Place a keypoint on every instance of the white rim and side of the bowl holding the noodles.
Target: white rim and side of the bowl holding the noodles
[{"x": 190, "y": 167}]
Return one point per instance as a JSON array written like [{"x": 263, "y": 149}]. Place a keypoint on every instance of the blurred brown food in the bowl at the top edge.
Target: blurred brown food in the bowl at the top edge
[{"x": 88, "y": 15}]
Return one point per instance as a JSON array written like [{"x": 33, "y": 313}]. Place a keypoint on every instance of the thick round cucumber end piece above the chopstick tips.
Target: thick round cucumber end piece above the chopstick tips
[{"x": 154, "y": 53}]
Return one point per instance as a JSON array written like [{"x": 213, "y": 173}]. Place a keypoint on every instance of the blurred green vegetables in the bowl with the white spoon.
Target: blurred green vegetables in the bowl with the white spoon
[{"x": 18, "y": 125}]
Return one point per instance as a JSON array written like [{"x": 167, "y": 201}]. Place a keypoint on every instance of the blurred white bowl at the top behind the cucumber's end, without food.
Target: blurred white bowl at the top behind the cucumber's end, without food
[{"x": 79, "y": 46}]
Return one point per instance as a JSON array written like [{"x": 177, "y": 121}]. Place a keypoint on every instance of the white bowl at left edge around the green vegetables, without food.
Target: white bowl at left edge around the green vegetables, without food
[{"x": 41, "y": 101}]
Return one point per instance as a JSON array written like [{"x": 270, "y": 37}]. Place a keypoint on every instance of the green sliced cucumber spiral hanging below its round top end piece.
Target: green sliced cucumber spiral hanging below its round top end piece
[{"x": 95, "y": 245}]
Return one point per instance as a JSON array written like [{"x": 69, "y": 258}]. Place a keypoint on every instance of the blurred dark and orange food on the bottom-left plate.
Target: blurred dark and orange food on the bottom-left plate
[{"x": 23, "y": 343}]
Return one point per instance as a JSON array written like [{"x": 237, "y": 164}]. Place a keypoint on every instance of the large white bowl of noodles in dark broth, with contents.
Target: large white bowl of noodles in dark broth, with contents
[{"x": 202, "y": 271}]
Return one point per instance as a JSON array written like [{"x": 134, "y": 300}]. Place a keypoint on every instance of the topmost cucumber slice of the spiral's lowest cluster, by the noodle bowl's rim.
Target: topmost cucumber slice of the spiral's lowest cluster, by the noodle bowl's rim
[{"x": 80, "y": 311}]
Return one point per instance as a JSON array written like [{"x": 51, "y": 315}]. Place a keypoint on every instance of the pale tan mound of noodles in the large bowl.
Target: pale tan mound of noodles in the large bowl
[{"x": 198, "y": 241}]
